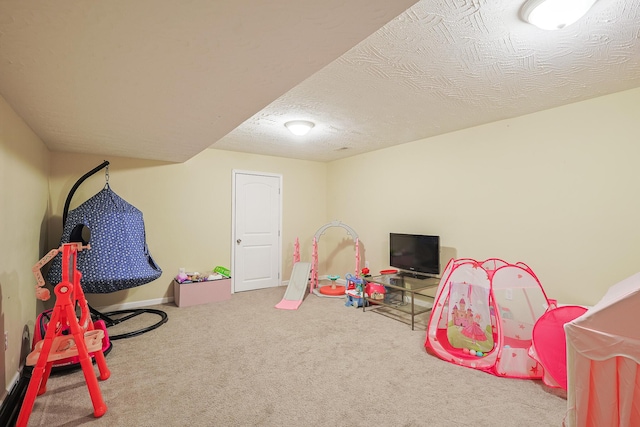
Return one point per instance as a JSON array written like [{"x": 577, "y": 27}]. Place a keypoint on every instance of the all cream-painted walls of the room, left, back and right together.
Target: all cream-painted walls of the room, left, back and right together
[{"x": 555, "y": 189}]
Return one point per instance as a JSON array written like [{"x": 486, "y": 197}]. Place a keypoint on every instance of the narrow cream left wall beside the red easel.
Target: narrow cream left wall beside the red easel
[{"x": 23, "y": 211}]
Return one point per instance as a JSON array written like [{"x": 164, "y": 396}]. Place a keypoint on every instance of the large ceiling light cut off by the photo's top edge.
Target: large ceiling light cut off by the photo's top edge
[{"x": 554, "y": 14}]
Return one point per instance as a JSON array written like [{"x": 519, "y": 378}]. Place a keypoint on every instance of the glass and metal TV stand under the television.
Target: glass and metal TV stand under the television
[{"x": 408, "y": 287}]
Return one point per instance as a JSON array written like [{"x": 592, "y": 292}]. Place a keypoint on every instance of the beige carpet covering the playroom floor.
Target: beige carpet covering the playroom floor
[{"x": 242, "y": 362}]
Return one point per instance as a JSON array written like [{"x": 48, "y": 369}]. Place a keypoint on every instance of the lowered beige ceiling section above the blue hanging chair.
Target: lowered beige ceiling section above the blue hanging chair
[{"x": 165, "y": 79}]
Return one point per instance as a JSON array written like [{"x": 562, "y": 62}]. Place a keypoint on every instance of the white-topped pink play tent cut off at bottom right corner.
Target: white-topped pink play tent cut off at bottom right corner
[{"x": 603, "y": 355}]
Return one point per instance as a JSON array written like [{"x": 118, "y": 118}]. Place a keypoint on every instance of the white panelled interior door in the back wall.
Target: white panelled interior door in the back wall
[{"x": 256, "y": 241}]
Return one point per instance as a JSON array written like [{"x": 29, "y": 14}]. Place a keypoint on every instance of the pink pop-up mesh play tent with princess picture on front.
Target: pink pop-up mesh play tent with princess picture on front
[{"x": 483, "y": 317}]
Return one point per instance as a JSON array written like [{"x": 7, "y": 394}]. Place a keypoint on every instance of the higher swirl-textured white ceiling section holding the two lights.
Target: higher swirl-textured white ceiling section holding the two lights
[{"x": 445, "y": 65}]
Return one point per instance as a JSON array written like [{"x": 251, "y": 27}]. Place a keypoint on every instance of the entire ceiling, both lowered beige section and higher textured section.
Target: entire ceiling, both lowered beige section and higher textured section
[{"x": 165, "y": 80}]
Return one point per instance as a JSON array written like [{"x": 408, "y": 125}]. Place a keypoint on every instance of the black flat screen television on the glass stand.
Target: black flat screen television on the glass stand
[{"x": 415, "y": 253}]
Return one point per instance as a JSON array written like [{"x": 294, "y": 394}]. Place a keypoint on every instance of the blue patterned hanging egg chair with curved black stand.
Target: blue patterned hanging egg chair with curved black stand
[{"x": 119, "y": 258}]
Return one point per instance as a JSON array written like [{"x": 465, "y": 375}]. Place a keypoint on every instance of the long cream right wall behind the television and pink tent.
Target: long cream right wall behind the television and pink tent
[{"x": 557, "y": 190}]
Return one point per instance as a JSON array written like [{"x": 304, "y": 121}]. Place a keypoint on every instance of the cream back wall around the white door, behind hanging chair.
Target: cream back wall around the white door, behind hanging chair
[{"x": 187, "y": 208}]
